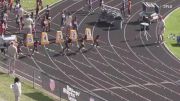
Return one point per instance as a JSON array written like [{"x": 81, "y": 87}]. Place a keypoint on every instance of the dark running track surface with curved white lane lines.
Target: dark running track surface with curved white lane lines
[{"x": 122, "y": 68}]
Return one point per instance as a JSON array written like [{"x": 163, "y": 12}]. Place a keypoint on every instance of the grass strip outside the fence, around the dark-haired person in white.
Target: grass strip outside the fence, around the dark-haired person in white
[{"x": 28, "y": 93}]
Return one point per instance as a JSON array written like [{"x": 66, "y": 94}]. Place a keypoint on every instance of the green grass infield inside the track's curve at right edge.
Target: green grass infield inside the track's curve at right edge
[{"x": 172, "y": 23}]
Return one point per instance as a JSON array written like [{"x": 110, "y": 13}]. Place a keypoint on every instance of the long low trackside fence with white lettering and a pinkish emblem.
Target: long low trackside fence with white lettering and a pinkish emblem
[{"x": 64, "y": 90}]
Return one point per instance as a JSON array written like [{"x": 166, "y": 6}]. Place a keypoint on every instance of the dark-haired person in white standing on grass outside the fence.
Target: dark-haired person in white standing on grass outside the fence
[{"x": 17, "y": 88}]
